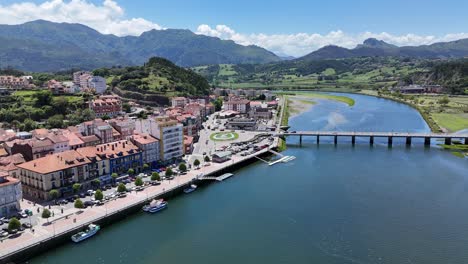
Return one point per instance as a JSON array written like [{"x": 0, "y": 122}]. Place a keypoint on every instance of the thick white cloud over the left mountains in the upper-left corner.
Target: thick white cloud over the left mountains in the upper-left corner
[{"x": 107, "y": 17}]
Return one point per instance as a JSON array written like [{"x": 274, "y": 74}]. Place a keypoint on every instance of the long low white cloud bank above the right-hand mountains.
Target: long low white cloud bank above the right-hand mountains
[{"x": 302, "y": 43}]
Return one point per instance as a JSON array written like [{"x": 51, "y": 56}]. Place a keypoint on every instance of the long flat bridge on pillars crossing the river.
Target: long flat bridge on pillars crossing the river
[{"x": 448, "y": 138}]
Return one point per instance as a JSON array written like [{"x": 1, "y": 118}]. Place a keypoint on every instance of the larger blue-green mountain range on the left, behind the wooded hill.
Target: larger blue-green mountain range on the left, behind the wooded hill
[{"x": 46, "y": 46}]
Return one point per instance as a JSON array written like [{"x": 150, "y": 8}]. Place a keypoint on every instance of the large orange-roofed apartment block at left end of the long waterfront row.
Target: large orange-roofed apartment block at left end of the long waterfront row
[{"x": 59, "y": 171}]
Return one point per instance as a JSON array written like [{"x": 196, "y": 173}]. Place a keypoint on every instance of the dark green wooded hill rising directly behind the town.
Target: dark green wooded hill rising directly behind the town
[{"x": 155, "y": 79}]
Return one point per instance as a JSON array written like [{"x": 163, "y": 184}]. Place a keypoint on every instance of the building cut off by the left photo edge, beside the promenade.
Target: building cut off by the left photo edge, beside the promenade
[{"x": 10, "y": 195}]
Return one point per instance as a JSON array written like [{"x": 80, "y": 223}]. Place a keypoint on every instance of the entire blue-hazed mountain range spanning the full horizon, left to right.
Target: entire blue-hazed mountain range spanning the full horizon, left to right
[{"x": 43, "y": 46}]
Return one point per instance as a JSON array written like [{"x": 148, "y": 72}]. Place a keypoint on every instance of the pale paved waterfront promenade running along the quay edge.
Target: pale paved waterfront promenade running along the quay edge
[{"x": 79, "y": 218}]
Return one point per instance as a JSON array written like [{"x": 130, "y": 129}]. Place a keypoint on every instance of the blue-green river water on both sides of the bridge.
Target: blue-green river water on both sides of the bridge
[{"x": 333, "y": 204}]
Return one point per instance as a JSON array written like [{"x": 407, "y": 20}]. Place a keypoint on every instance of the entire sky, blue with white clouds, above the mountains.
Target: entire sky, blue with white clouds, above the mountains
[{"x": 289, "y": 27}]
